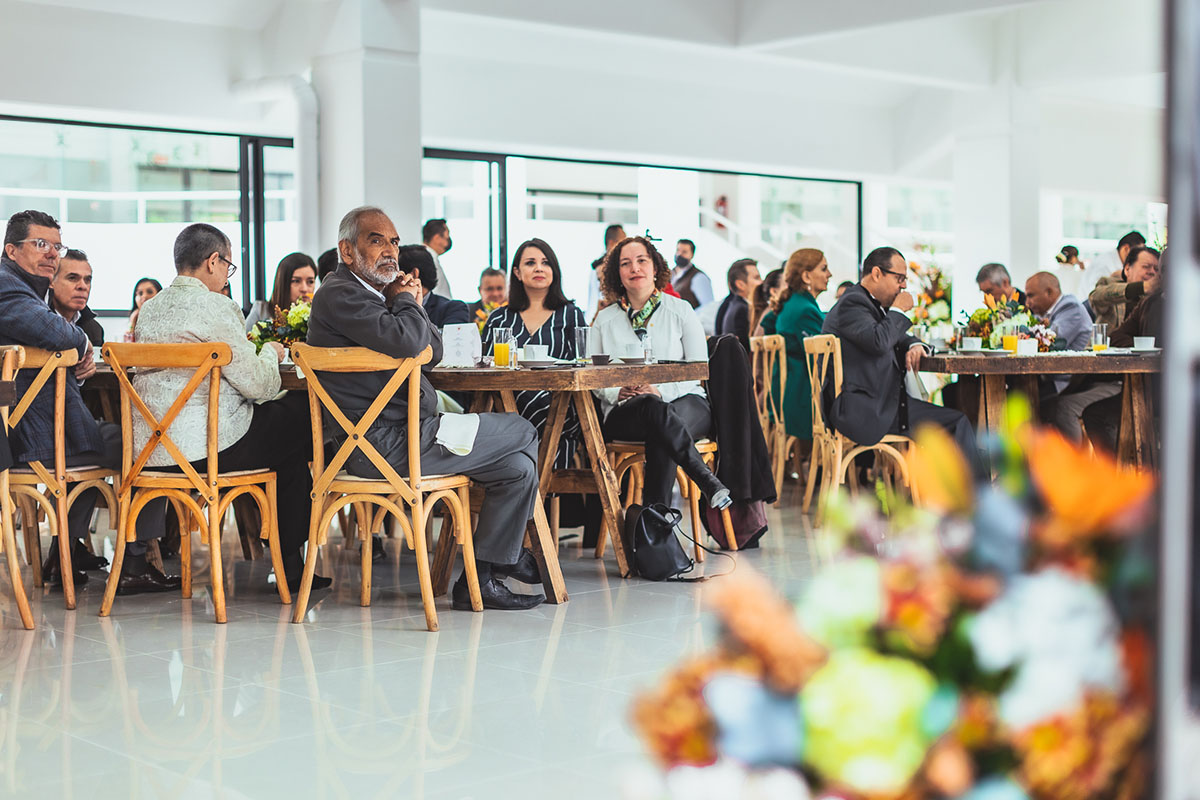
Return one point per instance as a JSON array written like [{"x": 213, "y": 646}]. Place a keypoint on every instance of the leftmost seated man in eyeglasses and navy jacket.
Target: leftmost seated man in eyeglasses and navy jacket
[{"x": 33, "y": 248}]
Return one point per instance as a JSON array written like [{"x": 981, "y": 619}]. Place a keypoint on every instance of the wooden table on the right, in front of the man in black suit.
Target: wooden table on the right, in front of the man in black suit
[{"x": 1138, "y": 442}]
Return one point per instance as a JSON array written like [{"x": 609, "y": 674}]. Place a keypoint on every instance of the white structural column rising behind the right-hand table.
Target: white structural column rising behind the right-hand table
[{"x": 997, "y": 179}]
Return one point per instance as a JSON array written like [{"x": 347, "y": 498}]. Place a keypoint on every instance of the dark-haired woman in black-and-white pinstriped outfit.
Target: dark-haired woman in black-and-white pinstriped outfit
[{"x": 539, "y": 314}]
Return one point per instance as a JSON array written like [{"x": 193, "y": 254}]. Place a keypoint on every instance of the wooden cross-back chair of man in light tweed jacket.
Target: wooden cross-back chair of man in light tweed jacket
[{"x": 215, "y": 490}]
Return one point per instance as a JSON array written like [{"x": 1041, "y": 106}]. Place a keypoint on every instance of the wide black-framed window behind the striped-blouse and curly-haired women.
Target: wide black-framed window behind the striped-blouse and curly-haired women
[{"x": 495, "y": 202}]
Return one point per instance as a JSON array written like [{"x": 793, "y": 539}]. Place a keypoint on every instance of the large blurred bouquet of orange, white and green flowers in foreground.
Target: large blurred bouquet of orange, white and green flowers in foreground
[{"x": 991, "y": 646}]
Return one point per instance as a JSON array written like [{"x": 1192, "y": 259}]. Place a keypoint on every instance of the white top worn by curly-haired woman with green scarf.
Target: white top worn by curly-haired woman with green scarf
[{"x": 676, "y": 335}]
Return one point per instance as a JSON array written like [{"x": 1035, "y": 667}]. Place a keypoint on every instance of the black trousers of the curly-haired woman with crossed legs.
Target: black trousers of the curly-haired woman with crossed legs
[{"x": 670, "y": 432}]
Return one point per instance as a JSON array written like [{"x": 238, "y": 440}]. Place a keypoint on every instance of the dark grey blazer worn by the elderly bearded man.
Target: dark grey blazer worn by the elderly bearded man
[{"x": 347, "y": 314}]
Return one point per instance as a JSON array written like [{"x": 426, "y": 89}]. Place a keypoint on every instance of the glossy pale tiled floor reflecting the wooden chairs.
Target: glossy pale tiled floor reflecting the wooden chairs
[{"x": 160, "y": 702}]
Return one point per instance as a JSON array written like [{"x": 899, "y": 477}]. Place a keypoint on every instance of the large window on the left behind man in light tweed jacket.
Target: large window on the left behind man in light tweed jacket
[{"x": 123, "y": 195}]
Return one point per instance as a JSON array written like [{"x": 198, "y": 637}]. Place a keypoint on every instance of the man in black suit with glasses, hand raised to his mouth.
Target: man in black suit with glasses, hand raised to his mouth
[{"x": 877, "y": 350}]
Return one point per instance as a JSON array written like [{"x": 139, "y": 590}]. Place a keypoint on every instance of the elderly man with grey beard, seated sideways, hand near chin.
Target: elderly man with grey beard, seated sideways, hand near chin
[{"x": 369, "y": 303}]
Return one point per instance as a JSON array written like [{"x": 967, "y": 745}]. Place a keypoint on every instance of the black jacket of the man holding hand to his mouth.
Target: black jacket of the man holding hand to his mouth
[{"x": 874, "y": 344}]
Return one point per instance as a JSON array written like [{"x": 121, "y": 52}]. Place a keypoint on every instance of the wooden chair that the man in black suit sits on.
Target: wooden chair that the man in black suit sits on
[{"x": 833, "y": 452}]
